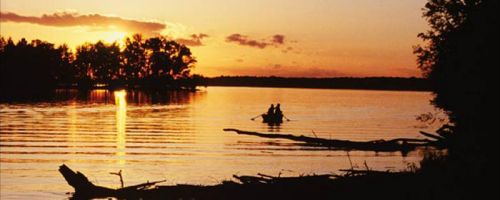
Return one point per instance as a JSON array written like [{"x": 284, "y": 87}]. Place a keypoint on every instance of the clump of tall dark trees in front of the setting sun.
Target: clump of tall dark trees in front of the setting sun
[{"x": 33, "y": 68}]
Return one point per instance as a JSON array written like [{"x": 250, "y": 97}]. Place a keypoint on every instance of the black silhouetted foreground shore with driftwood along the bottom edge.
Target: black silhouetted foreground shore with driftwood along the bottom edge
[{"x": 427, "y": 182}]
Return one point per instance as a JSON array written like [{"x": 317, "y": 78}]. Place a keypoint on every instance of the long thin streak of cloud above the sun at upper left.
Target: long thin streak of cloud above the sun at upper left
[{"x": 93, "y": 21}]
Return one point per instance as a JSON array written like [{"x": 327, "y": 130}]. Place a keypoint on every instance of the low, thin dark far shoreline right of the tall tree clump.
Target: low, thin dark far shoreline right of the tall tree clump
[{"x": 370, "y": 83}]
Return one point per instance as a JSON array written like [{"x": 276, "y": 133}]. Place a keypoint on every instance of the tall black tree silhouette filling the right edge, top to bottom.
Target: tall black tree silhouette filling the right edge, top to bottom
[{"x": 460, "y": 60}]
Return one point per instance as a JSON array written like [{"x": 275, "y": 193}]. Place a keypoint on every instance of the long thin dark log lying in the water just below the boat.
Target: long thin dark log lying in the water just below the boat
[{"x": 399, "y": 144}]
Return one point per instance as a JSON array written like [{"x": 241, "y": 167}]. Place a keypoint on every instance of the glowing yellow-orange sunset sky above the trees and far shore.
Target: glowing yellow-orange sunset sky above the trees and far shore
[{"x": 295, "y": 38}]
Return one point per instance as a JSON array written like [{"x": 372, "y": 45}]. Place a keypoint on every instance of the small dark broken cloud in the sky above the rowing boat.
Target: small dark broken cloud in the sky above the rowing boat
[{"x": 244, "y": 40}]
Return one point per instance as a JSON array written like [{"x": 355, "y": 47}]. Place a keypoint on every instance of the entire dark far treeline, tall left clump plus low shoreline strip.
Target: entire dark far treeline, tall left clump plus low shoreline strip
[{"x": 32, "y": 69}]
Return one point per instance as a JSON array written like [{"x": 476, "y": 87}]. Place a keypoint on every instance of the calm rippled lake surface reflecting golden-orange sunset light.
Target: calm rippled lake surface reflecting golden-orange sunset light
[{"x": 177, "y": 136}]
